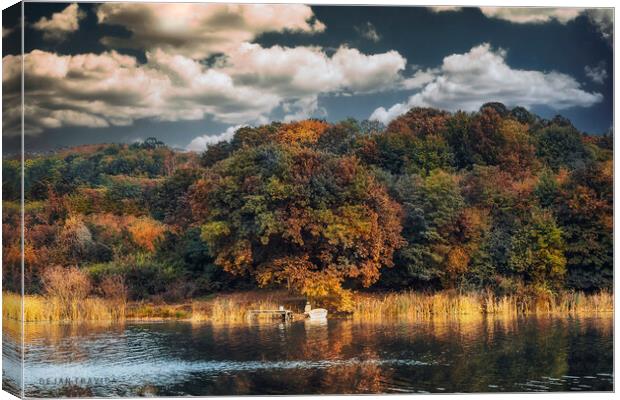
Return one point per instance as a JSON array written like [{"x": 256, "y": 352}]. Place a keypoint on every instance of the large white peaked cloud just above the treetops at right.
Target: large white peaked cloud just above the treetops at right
[{"x": 466, "y": 81}]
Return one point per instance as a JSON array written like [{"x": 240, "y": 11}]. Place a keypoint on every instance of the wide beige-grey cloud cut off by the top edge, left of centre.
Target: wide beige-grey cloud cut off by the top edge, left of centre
[{"x": 199, "y": 30}]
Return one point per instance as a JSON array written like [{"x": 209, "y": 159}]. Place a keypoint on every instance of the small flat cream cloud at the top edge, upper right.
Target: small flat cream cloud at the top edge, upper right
[{"x": 527, "y": 15}]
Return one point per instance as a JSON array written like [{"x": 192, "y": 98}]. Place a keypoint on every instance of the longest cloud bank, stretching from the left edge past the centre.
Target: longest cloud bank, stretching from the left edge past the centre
[{"x": 111, "y": 89}]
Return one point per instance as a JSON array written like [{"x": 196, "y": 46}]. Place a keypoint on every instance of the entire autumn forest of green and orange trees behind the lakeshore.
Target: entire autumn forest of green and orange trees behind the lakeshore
[{"x": 498, "y": 201}]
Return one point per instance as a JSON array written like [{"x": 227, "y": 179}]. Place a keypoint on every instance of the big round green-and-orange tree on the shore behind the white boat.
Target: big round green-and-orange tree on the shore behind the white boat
[{"x": 295, "y": 216}]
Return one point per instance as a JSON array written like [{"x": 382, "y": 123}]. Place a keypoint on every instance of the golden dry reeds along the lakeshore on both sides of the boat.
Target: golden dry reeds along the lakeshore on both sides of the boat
[{"x": 234, "y": 307}]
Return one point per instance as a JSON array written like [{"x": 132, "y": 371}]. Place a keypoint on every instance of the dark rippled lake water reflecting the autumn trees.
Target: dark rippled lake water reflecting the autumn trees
[{"x": 310, "y": 357}]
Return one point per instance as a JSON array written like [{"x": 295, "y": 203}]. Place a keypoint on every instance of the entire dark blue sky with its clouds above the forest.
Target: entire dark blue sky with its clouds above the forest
[{"x": 190, "y": 74}]
